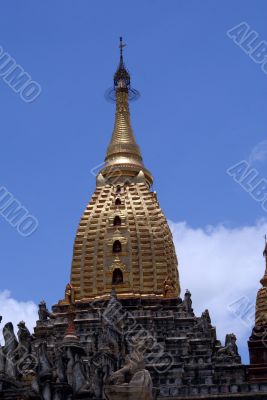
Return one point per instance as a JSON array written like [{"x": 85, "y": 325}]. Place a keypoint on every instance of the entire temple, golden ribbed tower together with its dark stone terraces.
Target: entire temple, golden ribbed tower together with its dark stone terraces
[{"x": 122, "y": 329}]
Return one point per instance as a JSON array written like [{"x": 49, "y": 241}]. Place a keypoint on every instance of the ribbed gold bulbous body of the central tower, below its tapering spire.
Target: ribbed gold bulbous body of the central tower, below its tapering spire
[{"x": 147, "y": 256}]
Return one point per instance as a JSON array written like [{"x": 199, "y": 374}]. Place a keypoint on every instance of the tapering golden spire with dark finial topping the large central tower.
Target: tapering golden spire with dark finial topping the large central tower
[{"x": 123, "y": 157}]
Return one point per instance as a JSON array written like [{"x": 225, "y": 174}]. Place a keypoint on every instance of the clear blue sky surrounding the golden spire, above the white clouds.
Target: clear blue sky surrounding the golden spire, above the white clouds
[{"x": 202, "y": 109}]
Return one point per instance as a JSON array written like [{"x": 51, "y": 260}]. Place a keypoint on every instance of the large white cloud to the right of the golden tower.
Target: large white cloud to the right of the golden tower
[{"x": 220, "y": 265}]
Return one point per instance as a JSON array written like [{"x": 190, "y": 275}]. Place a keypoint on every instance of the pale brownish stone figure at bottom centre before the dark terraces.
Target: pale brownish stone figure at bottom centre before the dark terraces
[{"x": 130, "y": 382}]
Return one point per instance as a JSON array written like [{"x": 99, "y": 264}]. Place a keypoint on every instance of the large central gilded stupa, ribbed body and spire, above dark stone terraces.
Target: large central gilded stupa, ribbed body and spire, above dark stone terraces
[{"x": 123, "y": 241}]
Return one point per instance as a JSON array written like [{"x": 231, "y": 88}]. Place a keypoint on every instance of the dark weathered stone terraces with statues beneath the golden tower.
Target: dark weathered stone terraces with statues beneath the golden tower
[{"x": 76, "y": 354}]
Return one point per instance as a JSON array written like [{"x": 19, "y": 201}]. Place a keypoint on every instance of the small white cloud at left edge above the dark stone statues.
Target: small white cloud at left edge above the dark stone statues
[{"x": 15, "y": 311}]
